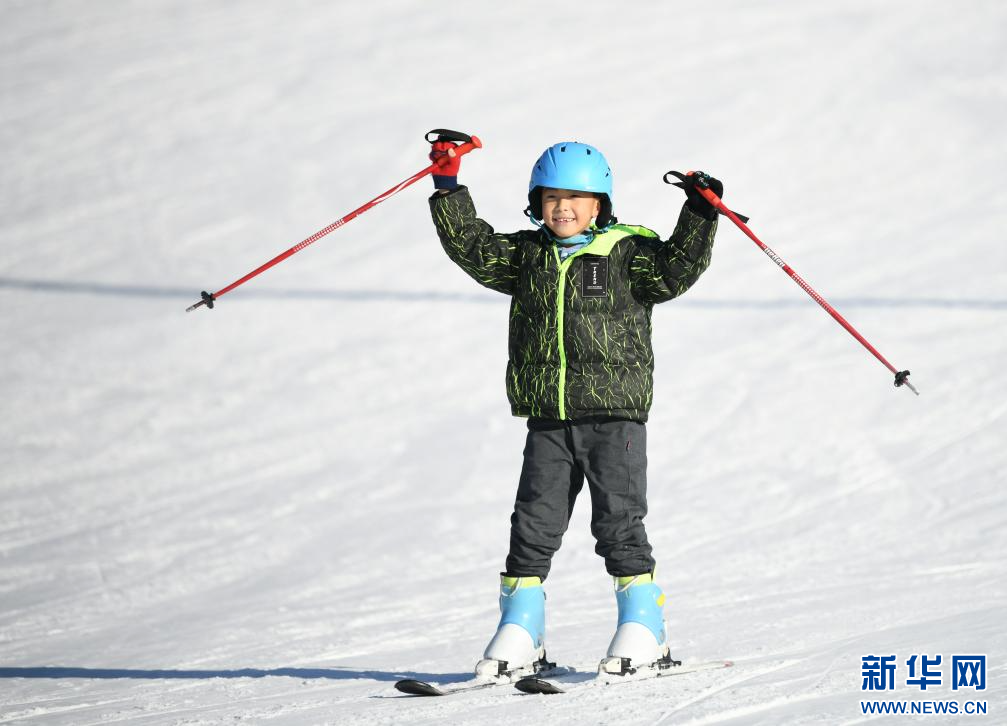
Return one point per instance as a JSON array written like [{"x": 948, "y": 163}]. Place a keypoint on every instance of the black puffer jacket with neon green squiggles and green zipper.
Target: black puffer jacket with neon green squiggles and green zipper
[{"x": 581, "y": 329}]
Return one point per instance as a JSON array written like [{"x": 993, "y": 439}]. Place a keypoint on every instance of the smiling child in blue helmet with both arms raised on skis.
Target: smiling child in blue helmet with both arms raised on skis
[{"x": 581, "y": 370}]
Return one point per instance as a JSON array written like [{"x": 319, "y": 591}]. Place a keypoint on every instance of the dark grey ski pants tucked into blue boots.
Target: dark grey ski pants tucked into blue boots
[{"x": 612, "y": 455}]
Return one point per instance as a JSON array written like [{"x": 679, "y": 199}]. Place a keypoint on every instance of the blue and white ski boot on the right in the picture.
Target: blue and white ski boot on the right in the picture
[{"x": 641, "y": 641}]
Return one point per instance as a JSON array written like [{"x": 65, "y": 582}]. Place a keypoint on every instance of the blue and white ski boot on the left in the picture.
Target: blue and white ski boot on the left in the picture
[{"x": 518, "y": 649}]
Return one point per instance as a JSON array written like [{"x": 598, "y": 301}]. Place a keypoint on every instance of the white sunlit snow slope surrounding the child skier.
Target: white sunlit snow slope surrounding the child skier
[{"x": 272, "y": 511}]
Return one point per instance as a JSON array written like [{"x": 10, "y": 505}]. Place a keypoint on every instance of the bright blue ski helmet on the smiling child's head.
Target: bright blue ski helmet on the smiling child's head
[{"x": 572, "y": 166}]
